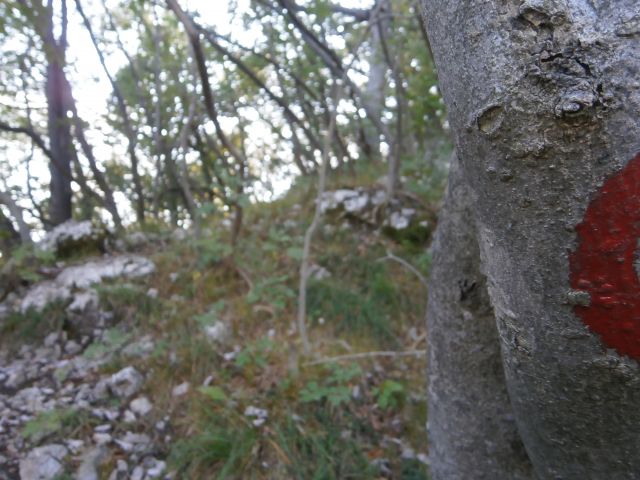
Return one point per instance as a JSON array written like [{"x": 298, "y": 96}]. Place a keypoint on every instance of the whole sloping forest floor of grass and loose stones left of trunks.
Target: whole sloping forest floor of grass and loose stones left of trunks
[{"x": 195, "y": 371}]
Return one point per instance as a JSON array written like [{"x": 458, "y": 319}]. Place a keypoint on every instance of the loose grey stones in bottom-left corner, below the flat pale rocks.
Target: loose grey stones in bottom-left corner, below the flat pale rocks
[{"x": 58, "y": 377}]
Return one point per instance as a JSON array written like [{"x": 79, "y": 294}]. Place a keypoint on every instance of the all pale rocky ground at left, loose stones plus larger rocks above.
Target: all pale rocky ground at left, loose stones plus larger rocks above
[{"x": 56, "y": 385}]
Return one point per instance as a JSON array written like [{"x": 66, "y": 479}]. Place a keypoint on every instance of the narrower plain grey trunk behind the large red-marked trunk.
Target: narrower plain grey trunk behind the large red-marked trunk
[{"x": 471, "y": 427}]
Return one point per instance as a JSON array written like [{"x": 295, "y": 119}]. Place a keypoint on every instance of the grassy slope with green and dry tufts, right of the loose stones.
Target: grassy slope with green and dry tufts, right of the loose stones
[{"x": 329, "y": 421}]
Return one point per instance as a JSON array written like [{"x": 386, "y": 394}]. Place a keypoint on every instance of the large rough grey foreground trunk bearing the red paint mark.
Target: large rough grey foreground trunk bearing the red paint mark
[{"x": 544, "y": 103}]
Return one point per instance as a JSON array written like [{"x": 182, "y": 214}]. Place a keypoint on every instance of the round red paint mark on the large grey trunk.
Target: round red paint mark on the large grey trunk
[{"x": 604, "y": 262}]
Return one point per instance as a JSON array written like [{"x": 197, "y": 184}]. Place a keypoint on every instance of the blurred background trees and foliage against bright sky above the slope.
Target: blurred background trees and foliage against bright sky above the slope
[{"x": 169, "y": 112}]
